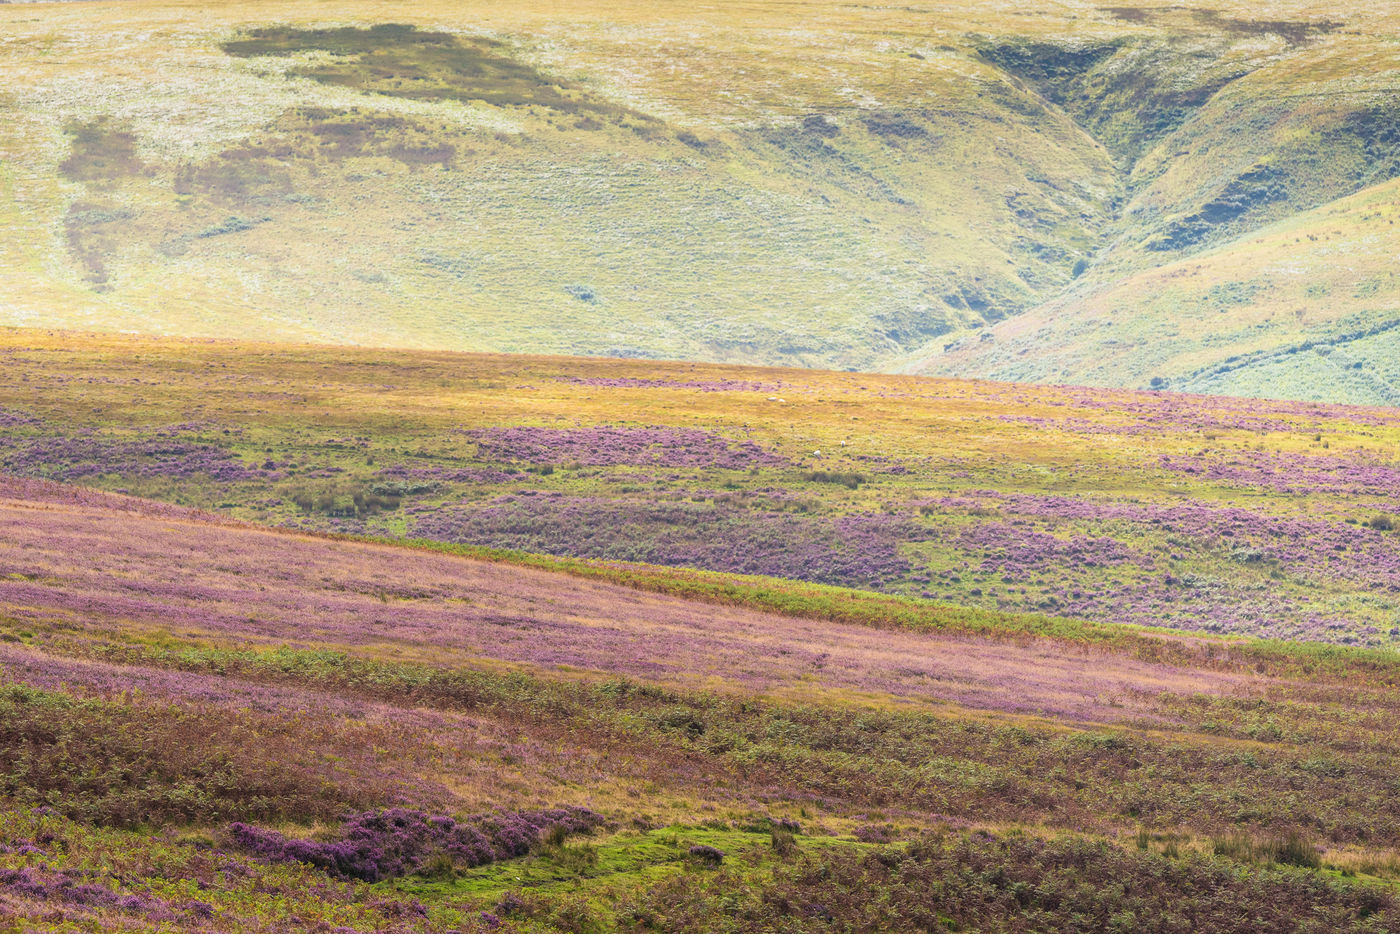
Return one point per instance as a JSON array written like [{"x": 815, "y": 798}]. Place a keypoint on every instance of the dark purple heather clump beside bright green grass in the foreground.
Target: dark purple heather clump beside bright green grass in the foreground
[{"x": 384, "y": 845}]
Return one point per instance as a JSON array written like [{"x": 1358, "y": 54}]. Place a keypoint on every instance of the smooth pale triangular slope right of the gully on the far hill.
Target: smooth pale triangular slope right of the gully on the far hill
[{"x": 1303, "y": 310}]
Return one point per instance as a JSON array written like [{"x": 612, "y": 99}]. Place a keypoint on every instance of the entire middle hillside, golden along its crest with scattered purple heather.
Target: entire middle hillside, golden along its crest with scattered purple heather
[{"x": 1210, "y": 515}]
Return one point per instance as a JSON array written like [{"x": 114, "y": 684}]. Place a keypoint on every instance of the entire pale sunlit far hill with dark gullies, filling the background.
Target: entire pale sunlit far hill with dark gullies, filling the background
[{"x": 1002, "y": 191}]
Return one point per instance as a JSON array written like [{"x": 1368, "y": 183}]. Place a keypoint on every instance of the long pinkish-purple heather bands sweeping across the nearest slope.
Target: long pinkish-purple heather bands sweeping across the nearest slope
[{"x": 115, "y": 572}]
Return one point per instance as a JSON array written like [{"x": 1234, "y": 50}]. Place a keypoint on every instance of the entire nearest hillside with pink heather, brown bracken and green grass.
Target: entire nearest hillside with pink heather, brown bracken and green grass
[{"x": 412, "y": 741}]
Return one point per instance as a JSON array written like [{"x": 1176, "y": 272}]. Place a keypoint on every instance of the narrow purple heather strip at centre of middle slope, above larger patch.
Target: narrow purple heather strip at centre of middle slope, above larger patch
[{"x": 611, "y": 447}]
